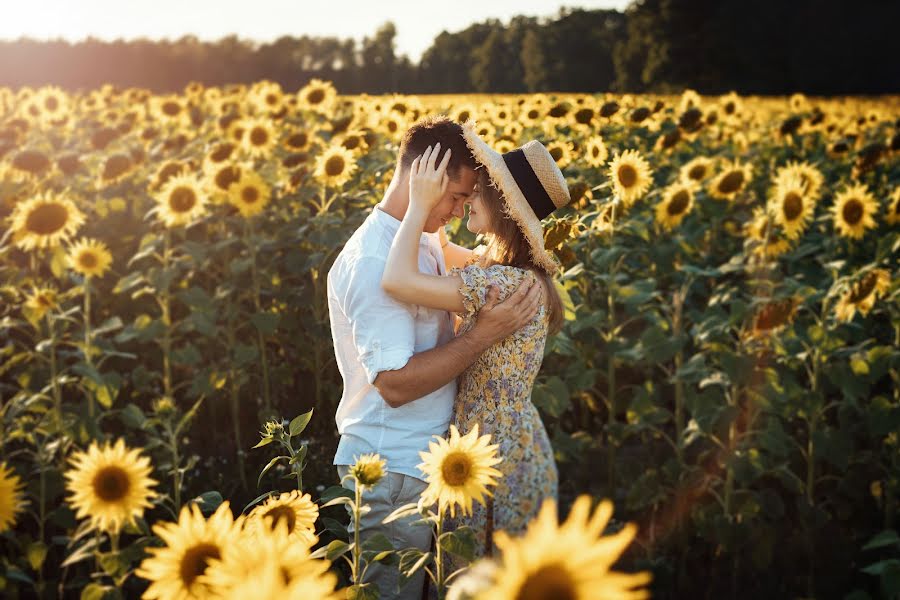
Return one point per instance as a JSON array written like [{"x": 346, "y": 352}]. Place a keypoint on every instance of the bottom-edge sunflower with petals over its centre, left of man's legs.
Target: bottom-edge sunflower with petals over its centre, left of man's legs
[{"x": 266, "y": 563}]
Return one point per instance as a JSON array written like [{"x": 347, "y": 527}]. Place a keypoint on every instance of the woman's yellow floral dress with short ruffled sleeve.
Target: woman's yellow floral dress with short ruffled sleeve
[{"x": 495, "y": 393}]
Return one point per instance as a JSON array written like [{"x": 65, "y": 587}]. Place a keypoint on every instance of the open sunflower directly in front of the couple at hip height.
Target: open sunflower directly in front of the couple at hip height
[{"x": 459, "y": 471}]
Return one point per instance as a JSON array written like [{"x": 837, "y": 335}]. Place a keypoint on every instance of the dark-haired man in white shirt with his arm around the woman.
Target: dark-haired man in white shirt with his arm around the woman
[{"x": 399, "y": 362}]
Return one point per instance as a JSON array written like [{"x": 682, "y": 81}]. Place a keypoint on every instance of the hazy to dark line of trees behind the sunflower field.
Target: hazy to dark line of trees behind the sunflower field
[{"x": 713, "y": 46}]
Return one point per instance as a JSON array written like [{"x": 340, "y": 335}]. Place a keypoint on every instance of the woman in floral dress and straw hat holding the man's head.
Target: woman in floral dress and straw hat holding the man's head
[{"x": 514, "y": 192}]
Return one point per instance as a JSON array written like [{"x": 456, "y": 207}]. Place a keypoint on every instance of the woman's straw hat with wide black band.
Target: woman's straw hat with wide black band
[{"x": 532, "y": 186}]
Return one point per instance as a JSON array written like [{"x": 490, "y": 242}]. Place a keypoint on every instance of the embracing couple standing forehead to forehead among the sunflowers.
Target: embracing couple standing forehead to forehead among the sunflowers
[{"x": 410, "y": 367}]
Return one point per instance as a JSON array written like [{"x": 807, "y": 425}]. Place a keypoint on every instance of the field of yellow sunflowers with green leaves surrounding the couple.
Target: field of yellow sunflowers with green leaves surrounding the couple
[{"x": 727, "y": 383}]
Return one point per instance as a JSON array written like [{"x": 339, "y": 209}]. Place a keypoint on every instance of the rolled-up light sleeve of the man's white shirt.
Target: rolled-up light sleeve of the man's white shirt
[{"x": 383, "y": 329}]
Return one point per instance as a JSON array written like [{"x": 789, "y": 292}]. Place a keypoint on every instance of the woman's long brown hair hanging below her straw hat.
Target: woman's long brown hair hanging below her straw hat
[{"x": 507, "y": 246}]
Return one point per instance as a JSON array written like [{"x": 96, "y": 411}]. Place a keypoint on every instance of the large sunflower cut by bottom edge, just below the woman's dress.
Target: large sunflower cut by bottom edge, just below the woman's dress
[{"x": 571, "y": 560}]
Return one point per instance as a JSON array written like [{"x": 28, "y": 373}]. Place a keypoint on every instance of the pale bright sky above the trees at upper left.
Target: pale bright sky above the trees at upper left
[{"x": 264, "y": 20}]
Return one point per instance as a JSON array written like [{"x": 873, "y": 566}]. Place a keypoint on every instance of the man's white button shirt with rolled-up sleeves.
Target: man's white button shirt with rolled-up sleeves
[{"x": 372, "y": 333}]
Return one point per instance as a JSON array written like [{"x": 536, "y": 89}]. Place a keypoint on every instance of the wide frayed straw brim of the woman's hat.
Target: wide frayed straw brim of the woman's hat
[{"x": 515, "y": 204}]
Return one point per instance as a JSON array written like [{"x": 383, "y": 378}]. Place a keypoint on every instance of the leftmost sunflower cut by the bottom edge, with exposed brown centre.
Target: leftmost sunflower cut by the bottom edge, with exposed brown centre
[{"x": 178, "y": 569}]
